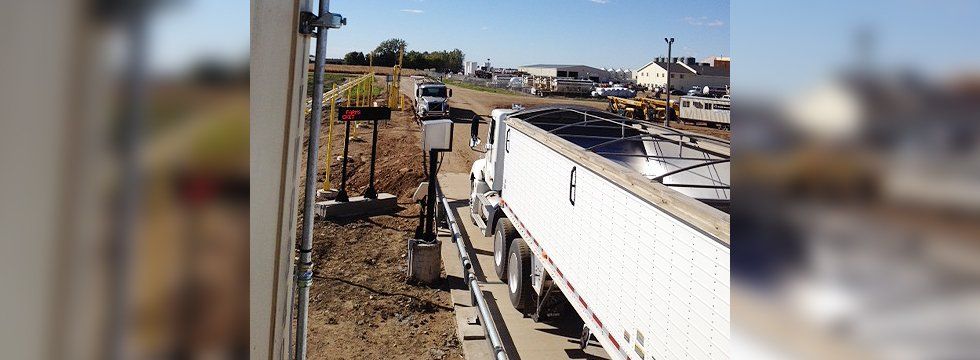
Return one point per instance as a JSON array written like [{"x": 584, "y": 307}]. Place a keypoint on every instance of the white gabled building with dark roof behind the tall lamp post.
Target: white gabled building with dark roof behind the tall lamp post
[{"x": 685, "y": 72}]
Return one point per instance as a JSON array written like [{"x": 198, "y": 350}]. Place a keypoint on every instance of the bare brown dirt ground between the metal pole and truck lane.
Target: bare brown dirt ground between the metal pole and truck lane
[{"x": 361, "y": 306}]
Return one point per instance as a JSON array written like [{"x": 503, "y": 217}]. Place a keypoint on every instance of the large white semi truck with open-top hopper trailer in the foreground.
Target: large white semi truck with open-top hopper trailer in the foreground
[{"x": 622, "y": 220}]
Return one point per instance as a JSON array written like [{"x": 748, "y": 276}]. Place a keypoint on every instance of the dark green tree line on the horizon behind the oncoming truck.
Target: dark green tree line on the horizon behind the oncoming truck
[{"x": 386, "y": 54}]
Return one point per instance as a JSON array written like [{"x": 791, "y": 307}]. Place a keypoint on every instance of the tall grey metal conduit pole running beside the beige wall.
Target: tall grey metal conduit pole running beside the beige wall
[{"x": 304, "y": 272}]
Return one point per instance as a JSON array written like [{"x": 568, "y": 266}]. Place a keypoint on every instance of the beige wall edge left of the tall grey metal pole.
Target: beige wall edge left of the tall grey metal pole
[{"x": 278, "y": 72}]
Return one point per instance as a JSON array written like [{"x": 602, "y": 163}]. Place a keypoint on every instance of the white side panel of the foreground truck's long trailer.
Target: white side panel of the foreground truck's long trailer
[{"x": 638, "y": 268}]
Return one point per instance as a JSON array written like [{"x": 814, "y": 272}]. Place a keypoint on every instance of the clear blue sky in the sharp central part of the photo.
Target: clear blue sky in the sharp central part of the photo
[{"x": 601, "y": 33}]
